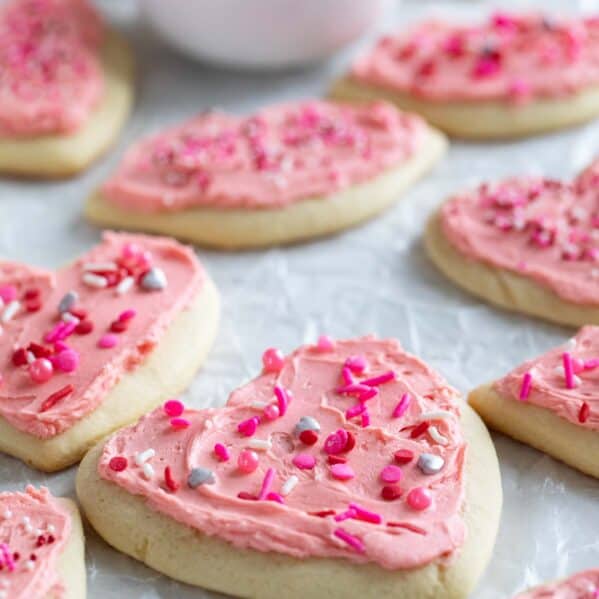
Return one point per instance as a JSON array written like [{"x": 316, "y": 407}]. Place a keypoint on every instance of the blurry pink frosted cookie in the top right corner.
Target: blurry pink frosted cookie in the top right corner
[{"x": 512, "y": 75}]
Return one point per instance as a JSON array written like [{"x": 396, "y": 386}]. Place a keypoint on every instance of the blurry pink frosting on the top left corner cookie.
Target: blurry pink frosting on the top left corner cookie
[{"x": 51, "y": 77}]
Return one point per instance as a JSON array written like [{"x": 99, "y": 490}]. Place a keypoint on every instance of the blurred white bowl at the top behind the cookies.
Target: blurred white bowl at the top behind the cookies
[{"x": 260, "y": 33}]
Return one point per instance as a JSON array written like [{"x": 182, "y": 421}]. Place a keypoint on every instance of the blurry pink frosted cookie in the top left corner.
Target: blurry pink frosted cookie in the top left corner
[{"x": 66, "y": 87}]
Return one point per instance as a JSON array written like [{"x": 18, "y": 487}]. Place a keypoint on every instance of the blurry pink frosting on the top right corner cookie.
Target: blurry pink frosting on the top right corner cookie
[{"x": 509, "y": 57}]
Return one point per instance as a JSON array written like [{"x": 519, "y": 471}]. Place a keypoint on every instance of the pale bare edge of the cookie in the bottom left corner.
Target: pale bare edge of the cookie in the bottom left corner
[{"x": 71, "y": 563}]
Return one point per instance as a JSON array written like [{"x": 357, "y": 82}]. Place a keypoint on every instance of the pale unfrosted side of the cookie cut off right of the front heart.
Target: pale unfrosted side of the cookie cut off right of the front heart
[{"x": 540, "y": 428}]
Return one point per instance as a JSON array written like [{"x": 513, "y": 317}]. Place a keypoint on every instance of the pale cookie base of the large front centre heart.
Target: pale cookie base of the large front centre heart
[{"x": 128, "y": 524}]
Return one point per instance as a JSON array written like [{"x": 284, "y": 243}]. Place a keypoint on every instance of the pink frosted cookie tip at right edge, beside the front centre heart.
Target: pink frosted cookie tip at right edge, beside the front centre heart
[{"x": 551, "y": 402}]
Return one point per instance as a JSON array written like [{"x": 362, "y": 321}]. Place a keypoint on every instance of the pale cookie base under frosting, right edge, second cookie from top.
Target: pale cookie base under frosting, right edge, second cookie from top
[{"x": 502, "y": 287}]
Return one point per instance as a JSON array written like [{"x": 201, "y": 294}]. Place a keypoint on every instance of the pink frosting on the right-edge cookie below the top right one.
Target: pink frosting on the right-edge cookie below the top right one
[{"x": 542, "y": 229}]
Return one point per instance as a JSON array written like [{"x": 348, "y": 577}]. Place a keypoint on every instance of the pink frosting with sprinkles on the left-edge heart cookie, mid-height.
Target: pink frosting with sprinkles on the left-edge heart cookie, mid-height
[{"x": 38, "y": 330}]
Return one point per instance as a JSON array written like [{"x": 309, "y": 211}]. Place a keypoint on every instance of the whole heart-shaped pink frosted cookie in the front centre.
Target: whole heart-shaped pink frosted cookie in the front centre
[{"x": 347, "y": 469}]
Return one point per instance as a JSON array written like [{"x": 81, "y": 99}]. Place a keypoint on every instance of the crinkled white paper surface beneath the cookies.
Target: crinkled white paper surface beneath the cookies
[{"x": 375, "y": 278}]
